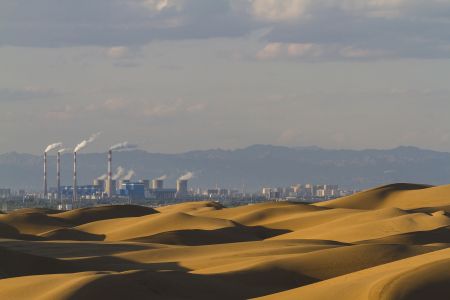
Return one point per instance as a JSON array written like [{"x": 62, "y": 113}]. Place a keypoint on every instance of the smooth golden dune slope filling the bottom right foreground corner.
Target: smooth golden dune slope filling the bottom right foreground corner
[{"x": 421, "y": 277}]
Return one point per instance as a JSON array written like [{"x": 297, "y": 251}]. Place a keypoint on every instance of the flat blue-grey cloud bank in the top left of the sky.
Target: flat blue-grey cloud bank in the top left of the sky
[{"x": 108, "y": 23}]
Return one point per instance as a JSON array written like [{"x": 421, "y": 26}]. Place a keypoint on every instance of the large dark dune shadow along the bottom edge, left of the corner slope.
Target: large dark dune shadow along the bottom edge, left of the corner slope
[{"x": 182, "y": 285}]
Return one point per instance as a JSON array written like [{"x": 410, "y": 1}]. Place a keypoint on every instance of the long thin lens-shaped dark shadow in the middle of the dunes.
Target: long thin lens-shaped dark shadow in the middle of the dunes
[{"x": 198, "y": 237}]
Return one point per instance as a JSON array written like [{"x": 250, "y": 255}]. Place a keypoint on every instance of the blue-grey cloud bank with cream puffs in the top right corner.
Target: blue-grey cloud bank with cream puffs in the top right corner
[{"x": 365, "y": 29}]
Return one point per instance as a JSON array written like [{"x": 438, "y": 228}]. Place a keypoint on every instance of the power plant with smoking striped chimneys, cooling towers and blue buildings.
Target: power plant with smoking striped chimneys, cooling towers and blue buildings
[{"x": 110, "y": 187}]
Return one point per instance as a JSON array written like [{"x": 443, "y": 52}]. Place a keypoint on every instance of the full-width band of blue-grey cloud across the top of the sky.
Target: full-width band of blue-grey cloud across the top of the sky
[{"x": 297, "y": 29}]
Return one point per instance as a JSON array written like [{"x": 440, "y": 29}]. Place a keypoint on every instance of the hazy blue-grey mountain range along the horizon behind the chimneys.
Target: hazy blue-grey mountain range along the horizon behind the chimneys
[{"x": 252, "y": 167}]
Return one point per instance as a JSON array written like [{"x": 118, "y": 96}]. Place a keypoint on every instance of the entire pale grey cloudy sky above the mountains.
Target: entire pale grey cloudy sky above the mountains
[{"x": 177, "y": 75}]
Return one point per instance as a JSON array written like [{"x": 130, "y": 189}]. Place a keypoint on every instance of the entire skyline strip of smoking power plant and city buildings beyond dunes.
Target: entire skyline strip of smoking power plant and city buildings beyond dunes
[{"x": 118, "y": 186}]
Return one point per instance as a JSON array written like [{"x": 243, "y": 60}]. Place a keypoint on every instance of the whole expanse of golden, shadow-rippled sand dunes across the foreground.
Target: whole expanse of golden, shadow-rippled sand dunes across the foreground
[{"x": 391, "y": 242}]
